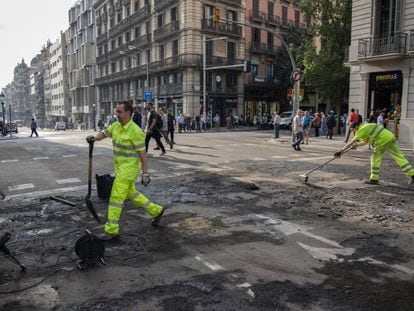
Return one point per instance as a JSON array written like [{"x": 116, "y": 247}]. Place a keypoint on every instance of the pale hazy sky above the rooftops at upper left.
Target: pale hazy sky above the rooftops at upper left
[{"x": 25, "y": 26}]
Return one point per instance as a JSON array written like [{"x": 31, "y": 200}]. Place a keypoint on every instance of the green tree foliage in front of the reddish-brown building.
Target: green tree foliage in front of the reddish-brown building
[{"x": 325, "y": 70}]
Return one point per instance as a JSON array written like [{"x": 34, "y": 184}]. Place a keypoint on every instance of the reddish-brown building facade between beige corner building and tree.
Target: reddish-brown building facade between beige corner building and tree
[{"x": 266, "y": 93}]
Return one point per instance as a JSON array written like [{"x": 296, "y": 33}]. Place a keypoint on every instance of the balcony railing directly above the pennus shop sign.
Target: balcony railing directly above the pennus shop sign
[{"x": 376, "y": 46}]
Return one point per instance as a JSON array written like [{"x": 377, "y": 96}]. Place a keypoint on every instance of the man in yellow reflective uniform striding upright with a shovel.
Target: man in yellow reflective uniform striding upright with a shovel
[{"x": 129, "y": 159}]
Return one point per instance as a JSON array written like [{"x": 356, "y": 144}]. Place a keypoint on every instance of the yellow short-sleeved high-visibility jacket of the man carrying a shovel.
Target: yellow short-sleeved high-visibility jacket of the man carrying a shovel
[{"x": 127, "y": 141}]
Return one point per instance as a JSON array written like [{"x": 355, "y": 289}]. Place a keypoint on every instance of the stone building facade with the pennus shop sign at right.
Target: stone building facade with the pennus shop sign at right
[{"x": 381, "y": 62}]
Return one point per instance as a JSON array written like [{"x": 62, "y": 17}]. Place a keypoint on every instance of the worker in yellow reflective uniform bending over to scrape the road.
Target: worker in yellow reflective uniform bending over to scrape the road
[{"x": 383, "y": 140}]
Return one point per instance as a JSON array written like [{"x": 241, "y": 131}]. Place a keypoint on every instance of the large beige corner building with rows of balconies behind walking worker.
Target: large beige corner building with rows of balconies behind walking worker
[{"x": 156, "y": 47}]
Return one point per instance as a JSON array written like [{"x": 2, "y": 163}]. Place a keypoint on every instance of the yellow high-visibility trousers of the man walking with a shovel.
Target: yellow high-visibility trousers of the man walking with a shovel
[{"x": 121, "y": 191}]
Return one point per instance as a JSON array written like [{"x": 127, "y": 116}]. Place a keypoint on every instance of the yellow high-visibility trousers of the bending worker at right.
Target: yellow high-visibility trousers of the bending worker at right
[{"x": 395, "y": 152}]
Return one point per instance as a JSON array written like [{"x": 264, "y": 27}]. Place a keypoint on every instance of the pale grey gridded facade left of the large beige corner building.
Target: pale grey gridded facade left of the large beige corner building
[{"x": 80, "y": 64}]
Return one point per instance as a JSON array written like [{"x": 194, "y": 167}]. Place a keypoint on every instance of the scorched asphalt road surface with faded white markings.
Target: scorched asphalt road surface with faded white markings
[{"x": 241, "y": 231}]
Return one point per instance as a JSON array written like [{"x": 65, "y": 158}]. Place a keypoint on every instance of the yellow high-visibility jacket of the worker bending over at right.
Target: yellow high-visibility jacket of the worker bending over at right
[{"x": 374, "y": 134}]
